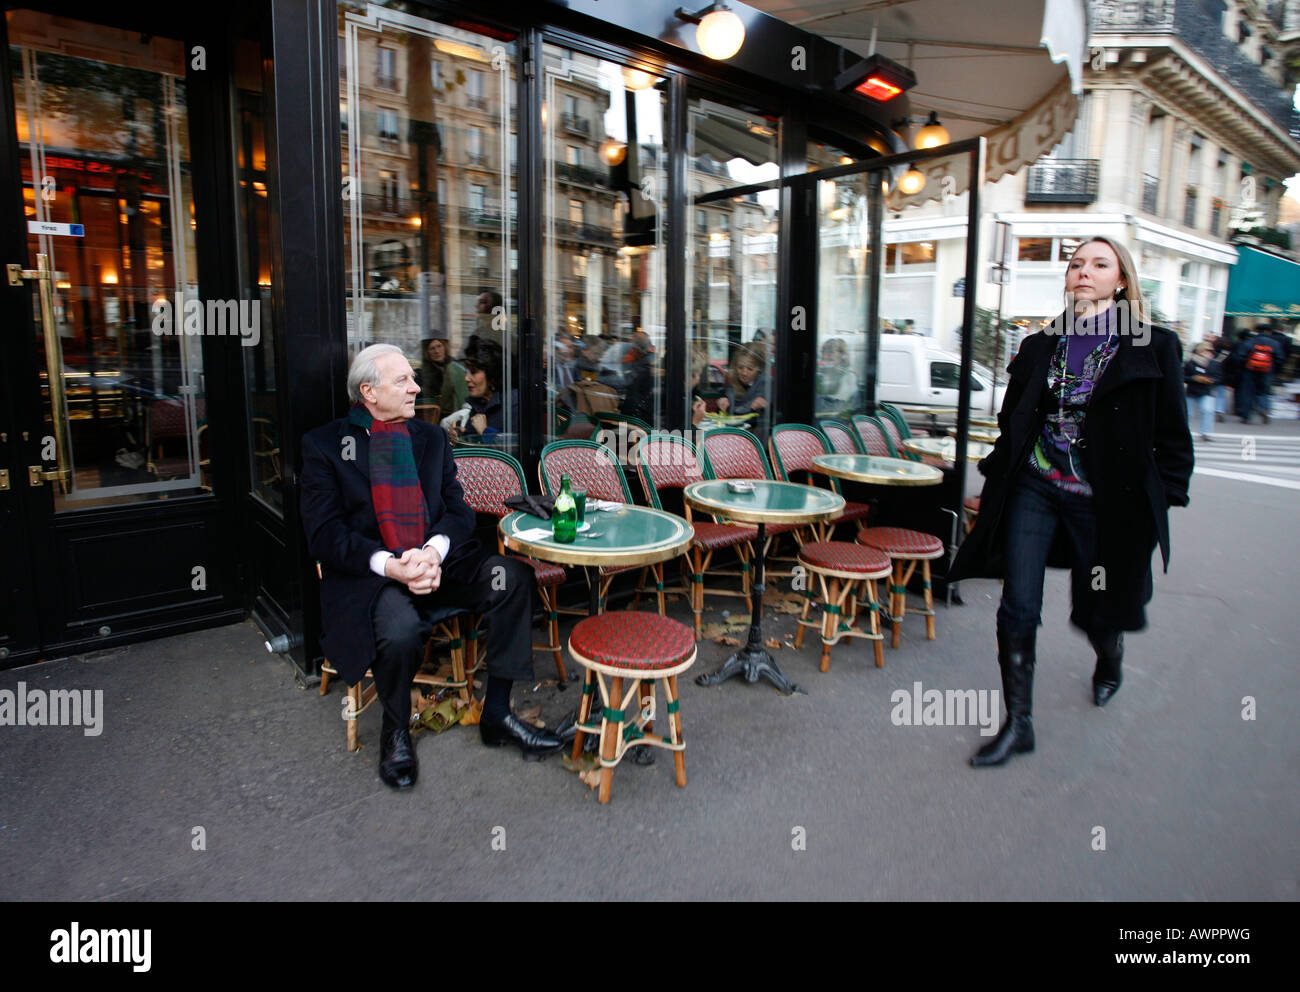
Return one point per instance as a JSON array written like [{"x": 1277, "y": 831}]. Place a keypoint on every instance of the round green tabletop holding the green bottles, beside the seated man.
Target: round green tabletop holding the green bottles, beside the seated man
[{"x": 635, "y": 535}]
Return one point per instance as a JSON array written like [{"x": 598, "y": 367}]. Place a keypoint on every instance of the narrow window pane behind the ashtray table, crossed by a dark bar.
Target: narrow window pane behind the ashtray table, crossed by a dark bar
[{"x": 731, "y": 265}]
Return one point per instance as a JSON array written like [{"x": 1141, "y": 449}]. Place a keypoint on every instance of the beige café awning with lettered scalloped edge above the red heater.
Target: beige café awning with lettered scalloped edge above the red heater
[{"x": 1009, "y": 71}]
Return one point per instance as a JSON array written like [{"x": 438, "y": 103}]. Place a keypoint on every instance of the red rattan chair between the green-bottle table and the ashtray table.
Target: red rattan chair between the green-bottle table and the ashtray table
[{"x": 670, "y": 462}]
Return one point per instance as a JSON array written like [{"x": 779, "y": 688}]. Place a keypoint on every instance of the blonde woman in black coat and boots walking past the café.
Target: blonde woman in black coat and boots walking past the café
[{"x": 1094, "y": 450}]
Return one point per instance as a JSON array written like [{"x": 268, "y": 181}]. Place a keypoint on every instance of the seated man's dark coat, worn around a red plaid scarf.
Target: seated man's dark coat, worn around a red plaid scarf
[{"x": 344, "y": 532}]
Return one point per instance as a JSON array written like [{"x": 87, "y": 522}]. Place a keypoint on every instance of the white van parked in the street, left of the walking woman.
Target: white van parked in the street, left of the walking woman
[{"x": 913, "y": 371}]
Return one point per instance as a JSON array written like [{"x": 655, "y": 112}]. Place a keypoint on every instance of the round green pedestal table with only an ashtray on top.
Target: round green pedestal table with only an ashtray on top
[{"x": 769, "y": 504}]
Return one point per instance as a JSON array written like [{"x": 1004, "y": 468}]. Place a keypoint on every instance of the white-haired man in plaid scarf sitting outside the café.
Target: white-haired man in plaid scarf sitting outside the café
[{"x": 388, "y": 521}]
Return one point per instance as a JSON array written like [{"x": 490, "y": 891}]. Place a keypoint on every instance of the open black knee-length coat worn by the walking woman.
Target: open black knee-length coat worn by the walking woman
[{"x": 1138, "y": 460}]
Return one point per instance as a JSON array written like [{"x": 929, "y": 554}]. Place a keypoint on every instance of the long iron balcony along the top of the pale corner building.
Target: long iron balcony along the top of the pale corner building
[{"x": 1201, "y": 31}]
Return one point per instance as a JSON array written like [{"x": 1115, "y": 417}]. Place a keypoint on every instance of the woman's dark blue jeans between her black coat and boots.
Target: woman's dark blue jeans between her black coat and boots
[{"x": 1035, "y": 510}]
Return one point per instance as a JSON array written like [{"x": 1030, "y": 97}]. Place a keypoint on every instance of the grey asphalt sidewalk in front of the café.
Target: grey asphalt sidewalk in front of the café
[{"x": 207, "y": 735}]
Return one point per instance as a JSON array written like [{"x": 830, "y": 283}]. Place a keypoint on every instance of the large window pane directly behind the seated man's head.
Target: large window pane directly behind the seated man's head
[{"x": 431, "y": 224}]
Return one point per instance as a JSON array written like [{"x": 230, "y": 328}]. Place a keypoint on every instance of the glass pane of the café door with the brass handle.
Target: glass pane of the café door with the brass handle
[{"x": 105, "y": 145}]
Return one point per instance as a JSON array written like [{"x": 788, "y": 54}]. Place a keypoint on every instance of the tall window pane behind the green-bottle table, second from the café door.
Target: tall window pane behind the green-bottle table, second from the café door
[{"x": 604, "y": 266}]
